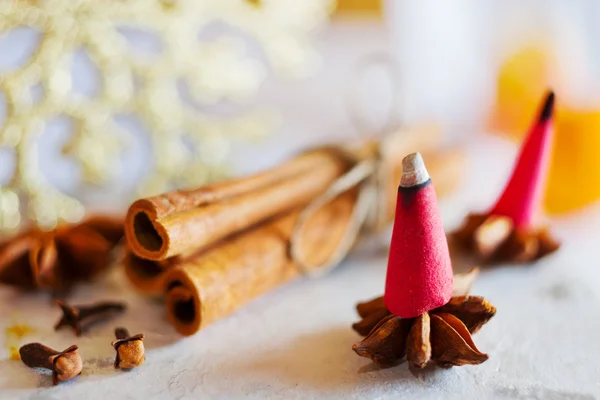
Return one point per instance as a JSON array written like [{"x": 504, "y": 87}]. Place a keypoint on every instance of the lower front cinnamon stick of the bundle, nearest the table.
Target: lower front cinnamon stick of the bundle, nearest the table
[{"x": 225, "y": 278}]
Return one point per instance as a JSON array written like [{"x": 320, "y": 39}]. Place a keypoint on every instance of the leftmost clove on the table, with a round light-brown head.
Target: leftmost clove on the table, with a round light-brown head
[{"x": 64, "y": 364}]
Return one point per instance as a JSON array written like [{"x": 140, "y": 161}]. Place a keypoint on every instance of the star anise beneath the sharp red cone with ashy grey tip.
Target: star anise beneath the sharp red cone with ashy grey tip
[{"x": 442, "y": 335}]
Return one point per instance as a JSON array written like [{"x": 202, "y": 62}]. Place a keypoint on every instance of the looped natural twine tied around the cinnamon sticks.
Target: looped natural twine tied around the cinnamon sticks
[{"x": 368, "y": 214}]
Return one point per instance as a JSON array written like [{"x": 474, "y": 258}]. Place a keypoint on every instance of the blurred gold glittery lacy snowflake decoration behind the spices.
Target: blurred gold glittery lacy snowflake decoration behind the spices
[{"x": 170, "y": 90}]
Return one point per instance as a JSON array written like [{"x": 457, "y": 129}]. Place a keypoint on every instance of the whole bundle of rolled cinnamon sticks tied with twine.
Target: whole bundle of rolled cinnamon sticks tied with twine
[{"x": 211, "y": 250}]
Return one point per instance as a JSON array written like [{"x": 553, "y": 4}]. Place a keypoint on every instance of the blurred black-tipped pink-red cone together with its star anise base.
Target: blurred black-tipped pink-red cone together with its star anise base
[{"x": 510, "y": 231}]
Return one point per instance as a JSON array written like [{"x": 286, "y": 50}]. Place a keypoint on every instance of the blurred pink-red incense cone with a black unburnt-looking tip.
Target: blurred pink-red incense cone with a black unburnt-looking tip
[{"x": 522, "y": 197}]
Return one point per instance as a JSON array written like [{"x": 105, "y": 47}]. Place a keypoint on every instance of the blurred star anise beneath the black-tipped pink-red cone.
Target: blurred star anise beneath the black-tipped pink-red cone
[{"x": 494, "y": 238}]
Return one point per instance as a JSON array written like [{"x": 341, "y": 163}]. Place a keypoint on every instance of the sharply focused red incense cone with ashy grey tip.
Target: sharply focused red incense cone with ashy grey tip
[{"x": 419, "y": 275}]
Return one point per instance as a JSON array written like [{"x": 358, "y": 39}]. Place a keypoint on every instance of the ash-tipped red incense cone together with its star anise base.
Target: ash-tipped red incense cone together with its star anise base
[{"x": 425, "y": 314}]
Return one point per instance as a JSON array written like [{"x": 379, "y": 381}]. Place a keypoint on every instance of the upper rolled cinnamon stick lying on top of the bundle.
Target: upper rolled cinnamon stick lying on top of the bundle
[{"x": 178, "y": 222}]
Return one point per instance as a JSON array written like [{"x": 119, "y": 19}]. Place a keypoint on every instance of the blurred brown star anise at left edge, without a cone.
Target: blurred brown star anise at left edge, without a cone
[{"x": 58, "y": 258}]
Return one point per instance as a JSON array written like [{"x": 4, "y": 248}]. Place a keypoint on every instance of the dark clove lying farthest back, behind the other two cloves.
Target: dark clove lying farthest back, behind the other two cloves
[{"x": 75, "y": 316}]
